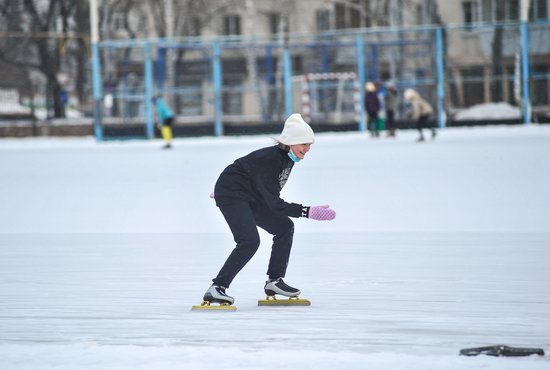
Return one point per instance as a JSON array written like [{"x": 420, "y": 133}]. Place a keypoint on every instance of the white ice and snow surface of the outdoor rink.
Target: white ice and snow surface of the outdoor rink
[{"x": 436, "y": 247}]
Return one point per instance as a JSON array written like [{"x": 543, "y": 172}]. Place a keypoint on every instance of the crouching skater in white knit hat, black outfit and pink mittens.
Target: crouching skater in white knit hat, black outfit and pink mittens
[{"x": 248, "y": 195}]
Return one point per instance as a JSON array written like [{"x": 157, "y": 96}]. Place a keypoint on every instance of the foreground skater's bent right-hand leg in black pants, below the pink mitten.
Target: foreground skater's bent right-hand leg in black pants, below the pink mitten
[{"x": 282, "y": 229}]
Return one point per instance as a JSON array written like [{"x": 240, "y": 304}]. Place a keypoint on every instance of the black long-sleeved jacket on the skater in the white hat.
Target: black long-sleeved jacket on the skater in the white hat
[{"x": 258, "y": 178}]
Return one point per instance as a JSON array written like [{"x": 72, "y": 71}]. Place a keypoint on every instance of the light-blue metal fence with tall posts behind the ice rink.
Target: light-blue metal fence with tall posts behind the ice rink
[{"x": 226, "y": 85}]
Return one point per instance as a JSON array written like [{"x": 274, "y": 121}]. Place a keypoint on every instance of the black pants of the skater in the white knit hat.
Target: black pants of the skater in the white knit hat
[{"x": 243, "y": 219}]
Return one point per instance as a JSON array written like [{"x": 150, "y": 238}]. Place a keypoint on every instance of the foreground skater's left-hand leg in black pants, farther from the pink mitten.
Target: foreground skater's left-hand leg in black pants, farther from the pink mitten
[{"x": 242, "y": 223}]
